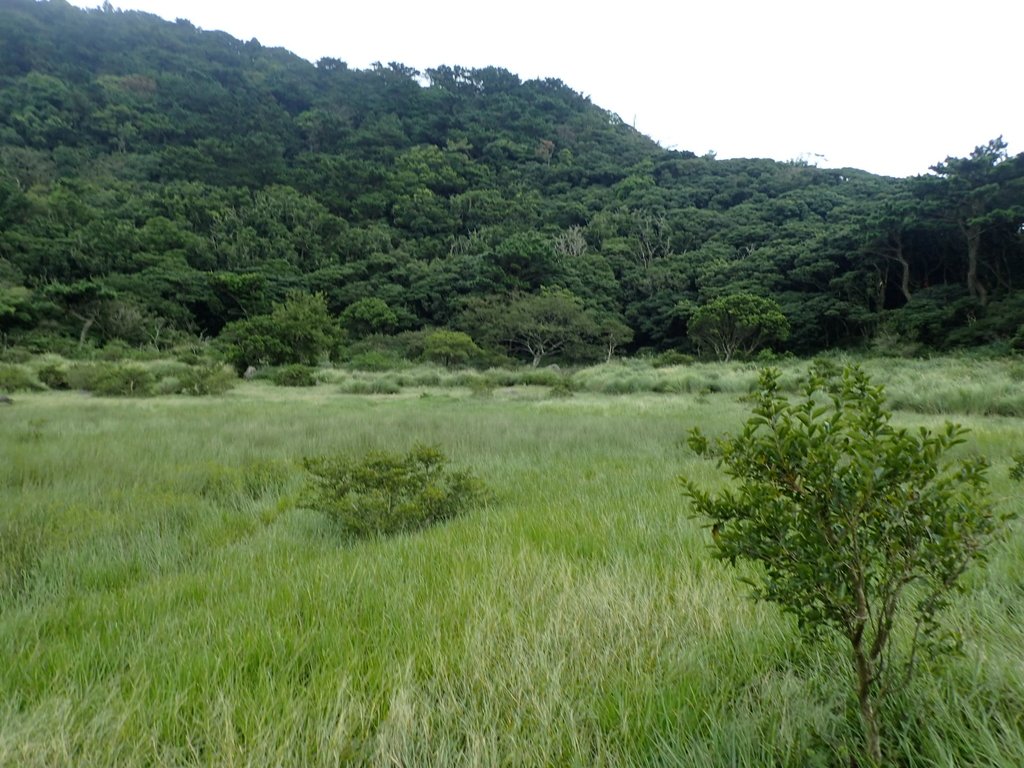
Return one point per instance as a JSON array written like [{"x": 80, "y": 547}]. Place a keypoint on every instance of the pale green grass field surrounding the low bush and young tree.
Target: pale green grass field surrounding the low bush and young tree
[{"x": 164, "y": 602}]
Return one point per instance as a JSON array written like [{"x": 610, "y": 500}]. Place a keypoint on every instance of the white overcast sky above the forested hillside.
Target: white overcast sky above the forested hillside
[{"x": 889, "y": 87}]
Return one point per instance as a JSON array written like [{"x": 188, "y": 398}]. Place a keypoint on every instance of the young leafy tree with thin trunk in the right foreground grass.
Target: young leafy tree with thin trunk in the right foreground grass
[{"x": 862, "y": 529}]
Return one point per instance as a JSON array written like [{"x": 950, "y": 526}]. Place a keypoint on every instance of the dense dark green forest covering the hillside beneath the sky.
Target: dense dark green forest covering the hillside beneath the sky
[{"x": 158, "y": 182}]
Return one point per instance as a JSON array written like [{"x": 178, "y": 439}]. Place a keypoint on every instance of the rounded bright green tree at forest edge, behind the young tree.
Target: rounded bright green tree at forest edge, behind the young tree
[{"x": 739, "y": 323}]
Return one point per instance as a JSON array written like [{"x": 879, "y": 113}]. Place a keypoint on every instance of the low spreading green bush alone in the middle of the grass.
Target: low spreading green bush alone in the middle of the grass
[{"x": 385, "y": 493}]
